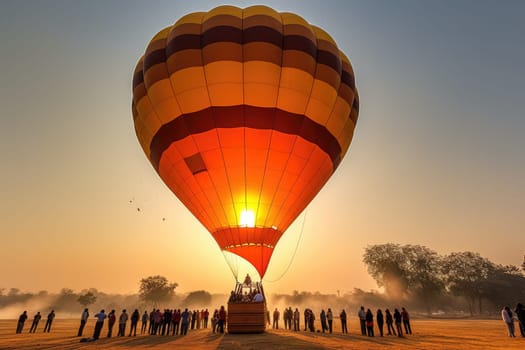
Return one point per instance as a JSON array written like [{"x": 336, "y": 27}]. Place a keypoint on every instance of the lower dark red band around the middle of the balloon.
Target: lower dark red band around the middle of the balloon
[{"x": 244, "y": 116}]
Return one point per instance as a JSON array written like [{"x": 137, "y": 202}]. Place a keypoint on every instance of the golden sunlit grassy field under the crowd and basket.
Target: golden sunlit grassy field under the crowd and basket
[{"x": 428, "y": 334}]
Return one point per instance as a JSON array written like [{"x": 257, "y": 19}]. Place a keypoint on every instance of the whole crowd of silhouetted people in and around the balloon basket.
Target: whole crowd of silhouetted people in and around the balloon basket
[{"x": 178, "y": 321}]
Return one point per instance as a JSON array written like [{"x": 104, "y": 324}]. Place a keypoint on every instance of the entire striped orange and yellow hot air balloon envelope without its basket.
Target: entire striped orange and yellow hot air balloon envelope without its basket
[{"x": 245, "y": 114}]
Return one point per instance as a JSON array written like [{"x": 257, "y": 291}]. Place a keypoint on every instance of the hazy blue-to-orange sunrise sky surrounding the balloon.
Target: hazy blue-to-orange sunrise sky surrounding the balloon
[{"x": 437, "y": 158}]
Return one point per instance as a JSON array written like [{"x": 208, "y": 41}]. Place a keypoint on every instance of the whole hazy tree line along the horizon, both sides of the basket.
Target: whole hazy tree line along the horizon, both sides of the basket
[{"x": 410, "y": 275}]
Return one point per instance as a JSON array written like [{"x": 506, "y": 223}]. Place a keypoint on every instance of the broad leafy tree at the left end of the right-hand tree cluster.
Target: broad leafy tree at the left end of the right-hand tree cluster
[{"x": 406, "y": 270}]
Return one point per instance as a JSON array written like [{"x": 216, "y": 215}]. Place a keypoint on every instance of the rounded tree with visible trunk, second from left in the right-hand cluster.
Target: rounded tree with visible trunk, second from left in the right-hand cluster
[{"x": 467, "y": 275}]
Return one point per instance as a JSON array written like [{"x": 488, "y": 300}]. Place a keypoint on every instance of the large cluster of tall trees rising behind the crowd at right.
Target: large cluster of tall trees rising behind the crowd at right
[{"x": 418, "y": 274}]
